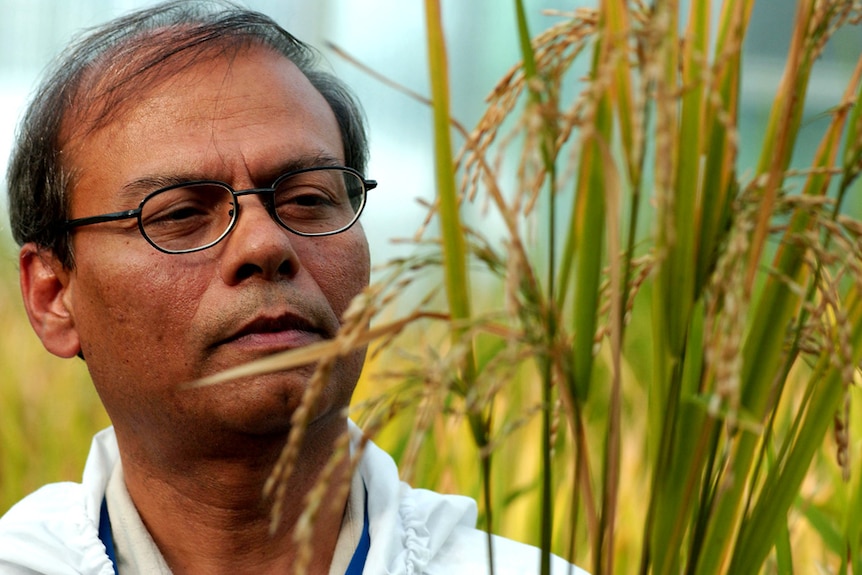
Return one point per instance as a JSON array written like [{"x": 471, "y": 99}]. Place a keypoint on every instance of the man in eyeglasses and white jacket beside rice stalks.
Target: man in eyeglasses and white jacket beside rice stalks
[{"x": 185, "y": 190}]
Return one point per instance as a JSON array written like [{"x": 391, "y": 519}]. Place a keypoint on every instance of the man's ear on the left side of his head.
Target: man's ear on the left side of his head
[{"x": 45, "y": 285}]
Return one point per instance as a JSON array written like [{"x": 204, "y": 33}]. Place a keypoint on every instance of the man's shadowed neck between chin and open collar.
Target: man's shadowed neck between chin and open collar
[{"x": 210, "y": 516}]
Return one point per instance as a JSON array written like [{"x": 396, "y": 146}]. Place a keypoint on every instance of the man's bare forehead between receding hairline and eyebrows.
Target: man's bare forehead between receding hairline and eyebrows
[{"x": 223, "y": 115}]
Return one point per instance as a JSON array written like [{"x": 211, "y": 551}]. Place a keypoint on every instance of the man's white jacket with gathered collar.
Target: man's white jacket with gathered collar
[{"x": 413, "y": 531}]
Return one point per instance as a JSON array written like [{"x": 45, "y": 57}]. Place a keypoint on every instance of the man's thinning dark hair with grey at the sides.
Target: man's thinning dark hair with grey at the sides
[{"x": 104, "y": 68}]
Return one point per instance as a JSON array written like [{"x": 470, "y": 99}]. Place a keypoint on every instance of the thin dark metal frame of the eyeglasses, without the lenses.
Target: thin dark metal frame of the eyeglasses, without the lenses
[{"x": 367, "y": 185}]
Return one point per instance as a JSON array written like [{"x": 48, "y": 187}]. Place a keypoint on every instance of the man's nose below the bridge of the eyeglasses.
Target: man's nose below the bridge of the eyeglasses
[{"x": 258, "y": 246}]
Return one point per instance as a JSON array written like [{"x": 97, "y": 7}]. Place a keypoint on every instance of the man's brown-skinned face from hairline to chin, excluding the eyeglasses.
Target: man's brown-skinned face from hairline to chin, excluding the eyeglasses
[{"x": 148, "y": 322}]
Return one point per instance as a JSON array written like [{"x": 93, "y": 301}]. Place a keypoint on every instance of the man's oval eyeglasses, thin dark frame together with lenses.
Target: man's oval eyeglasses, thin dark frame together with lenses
[{"x": 193, "y": 216}]
